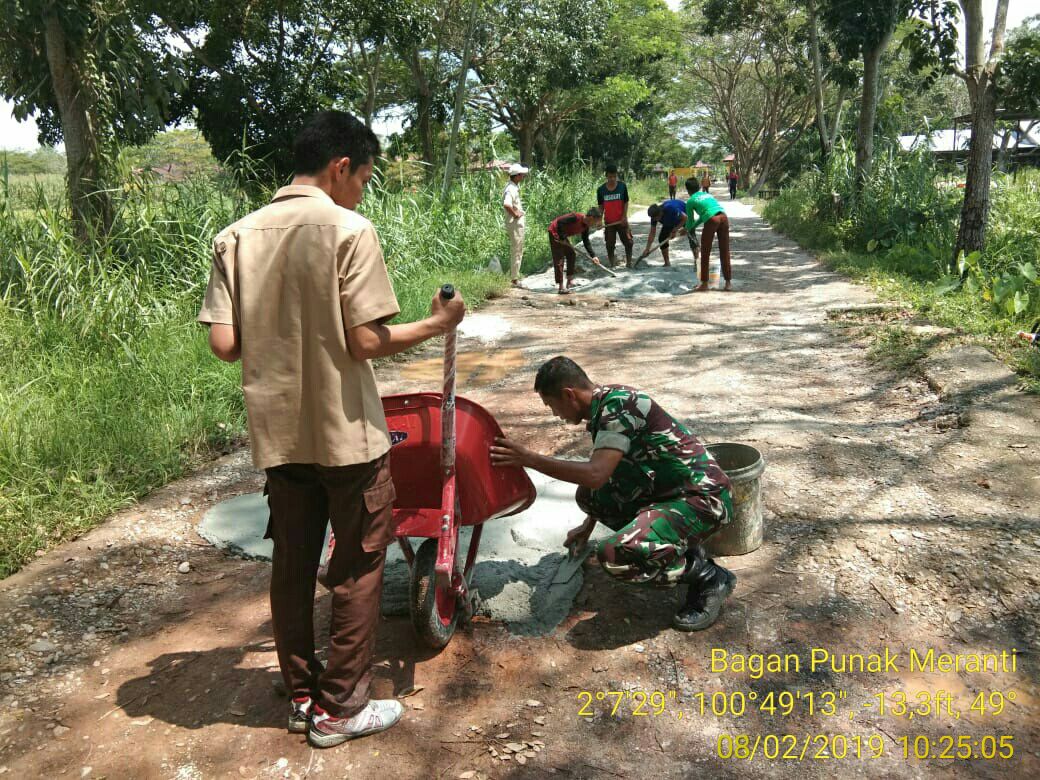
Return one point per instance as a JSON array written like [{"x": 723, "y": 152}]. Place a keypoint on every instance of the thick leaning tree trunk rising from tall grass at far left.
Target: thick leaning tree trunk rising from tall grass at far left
[{"x": 91, "y": 205}]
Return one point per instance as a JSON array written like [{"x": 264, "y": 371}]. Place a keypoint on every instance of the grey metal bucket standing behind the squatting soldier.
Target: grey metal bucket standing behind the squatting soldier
[{"x": 744, "y": 465}]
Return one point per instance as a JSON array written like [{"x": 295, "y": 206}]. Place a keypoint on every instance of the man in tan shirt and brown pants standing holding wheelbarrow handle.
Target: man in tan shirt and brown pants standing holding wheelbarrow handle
[{"x": 299, "y": 291}]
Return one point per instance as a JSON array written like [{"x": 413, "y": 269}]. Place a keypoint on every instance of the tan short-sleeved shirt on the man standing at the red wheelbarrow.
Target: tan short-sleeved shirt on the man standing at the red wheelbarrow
[{"x": 292, "y": 278}]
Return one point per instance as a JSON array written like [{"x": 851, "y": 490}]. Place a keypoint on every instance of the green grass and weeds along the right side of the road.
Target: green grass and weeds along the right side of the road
[{"x": 899, "y": 235}]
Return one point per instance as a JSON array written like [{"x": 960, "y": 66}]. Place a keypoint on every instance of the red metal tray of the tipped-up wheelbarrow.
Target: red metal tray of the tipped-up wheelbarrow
[{"x": 484, "y": 491}]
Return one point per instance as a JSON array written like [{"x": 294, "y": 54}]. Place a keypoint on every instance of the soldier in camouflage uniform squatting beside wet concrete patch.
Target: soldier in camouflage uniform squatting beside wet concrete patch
[{"x": 649, "y": 480}]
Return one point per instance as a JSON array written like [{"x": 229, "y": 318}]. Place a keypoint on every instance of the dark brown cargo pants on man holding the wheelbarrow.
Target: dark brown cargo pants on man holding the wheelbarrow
[{"x": 359, "y": 502}]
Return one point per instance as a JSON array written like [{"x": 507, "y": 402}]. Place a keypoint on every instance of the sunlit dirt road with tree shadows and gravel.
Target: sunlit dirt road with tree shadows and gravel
[{"x": 902, "y": 515}]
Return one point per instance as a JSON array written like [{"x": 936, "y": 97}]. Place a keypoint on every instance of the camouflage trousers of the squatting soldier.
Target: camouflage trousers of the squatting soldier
[{"x": 651, "y": 540}]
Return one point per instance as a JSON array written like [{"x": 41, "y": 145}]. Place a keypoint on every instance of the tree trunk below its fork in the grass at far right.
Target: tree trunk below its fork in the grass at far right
[{"x": 972, "y": 236}]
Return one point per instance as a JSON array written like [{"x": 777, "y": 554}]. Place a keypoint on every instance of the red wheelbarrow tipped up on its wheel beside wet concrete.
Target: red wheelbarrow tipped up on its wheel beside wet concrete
[{"x": 440, "y": 459}]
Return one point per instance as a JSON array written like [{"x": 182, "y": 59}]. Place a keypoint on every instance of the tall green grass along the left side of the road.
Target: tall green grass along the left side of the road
[{"x": 109, "y": 388}]
